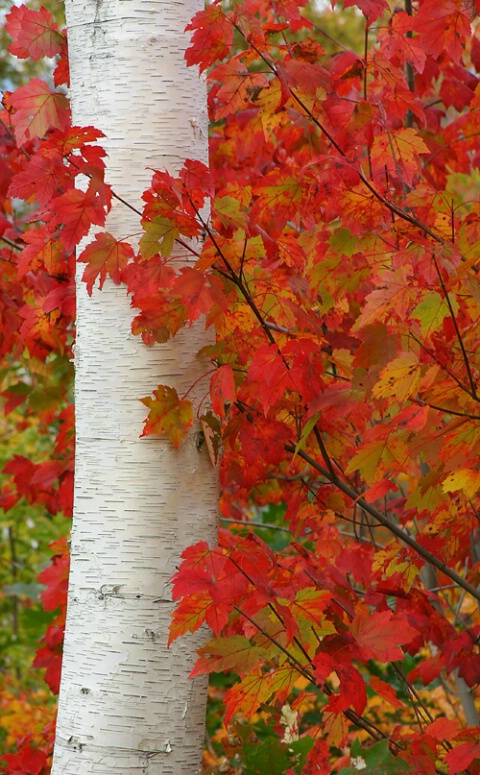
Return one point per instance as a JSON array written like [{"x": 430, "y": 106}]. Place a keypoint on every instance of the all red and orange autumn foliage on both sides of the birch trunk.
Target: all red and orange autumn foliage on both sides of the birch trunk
[{"x": 338, "y": 266}]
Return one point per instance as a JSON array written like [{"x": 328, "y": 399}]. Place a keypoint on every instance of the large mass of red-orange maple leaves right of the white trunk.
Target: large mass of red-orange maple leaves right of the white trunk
[{"x": 344, "y": 233}]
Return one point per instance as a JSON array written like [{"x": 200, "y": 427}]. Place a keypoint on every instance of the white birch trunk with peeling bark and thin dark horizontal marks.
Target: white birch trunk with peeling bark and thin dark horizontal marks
[{"x": 126, "y": 704}]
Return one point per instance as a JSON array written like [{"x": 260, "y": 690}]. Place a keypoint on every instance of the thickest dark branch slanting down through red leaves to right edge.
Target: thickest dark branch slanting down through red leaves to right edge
[{"x": 387, "y": 522}]
